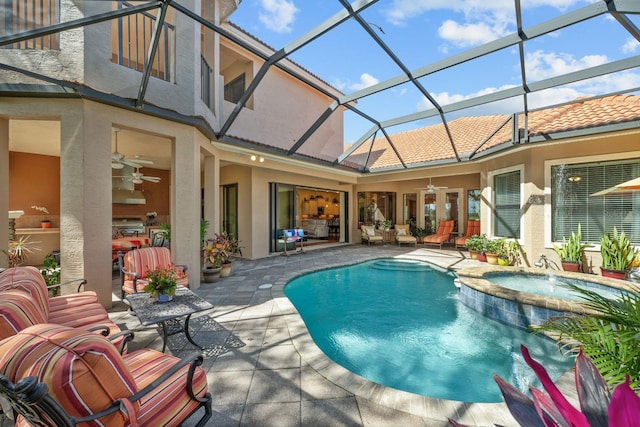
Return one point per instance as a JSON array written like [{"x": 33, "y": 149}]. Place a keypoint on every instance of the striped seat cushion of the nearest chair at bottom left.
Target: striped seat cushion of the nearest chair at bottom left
[{"x": 168, "y": 404}]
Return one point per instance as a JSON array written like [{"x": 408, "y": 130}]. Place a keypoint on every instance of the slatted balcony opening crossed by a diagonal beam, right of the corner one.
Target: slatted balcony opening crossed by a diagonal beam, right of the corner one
[{"x": 132, "y": 39}]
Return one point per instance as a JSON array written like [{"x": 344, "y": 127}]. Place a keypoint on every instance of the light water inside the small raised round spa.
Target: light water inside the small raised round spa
[{"x": 549, "y": 285}]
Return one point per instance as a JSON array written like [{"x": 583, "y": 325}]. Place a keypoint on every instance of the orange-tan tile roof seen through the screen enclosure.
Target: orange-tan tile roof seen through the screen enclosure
[{"x": 430, "y": 144}]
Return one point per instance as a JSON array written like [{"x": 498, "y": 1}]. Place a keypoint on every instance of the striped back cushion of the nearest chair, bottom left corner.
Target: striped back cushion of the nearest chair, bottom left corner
[{"x": 83, "y": 371}]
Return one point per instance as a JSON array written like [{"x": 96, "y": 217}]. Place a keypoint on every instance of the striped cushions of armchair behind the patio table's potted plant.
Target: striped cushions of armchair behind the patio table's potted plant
[{"x": 142, "y": 260}]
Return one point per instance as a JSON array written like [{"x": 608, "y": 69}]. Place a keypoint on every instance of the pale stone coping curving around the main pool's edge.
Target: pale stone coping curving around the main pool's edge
[{"x": 469, "y": 413}]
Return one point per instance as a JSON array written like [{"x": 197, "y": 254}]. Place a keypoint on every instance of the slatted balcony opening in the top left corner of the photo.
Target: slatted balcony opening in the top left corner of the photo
[{"x": 26, "y": 15}]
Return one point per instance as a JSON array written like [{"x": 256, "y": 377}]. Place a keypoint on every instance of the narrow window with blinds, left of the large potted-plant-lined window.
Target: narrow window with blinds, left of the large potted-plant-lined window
[{"x": 506, "y": 215}]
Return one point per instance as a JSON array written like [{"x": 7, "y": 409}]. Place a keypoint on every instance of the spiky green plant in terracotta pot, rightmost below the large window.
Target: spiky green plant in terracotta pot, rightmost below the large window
[{"x": 617, "y": 254}]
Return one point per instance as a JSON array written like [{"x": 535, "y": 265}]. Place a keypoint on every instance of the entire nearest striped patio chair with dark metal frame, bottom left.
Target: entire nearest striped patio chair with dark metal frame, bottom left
[{"x": 59, "y": 376}]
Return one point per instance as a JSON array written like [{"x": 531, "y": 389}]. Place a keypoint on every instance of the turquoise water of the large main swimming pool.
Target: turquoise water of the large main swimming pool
[{"x": 399, "y": 323}]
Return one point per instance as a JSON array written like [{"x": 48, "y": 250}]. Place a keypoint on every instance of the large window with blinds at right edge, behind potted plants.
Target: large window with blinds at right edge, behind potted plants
[{"x": 584, "y": 194}]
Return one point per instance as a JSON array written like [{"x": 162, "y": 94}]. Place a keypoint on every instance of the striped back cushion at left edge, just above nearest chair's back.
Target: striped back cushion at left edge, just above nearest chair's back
[{"x": 18, "y": 310}]
